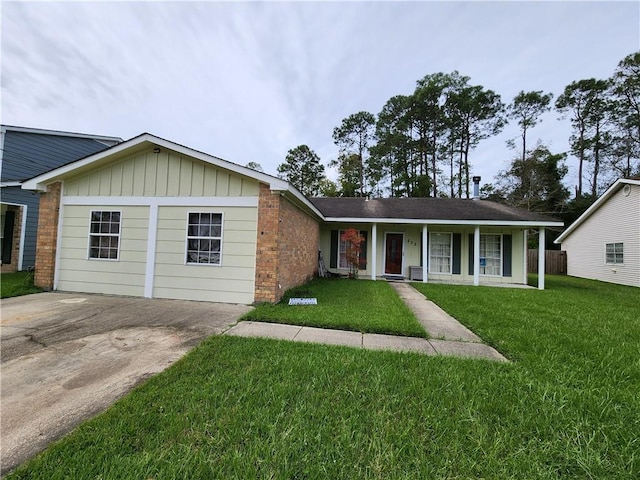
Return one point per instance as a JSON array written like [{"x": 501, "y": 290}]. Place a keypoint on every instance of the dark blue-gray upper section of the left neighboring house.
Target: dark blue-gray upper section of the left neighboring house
[{"x": 27, "y": 154}]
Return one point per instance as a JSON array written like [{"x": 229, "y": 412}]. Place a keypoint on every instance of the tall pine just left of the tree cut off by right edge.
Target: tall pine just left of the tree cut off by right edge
[{"x": 588, "y": 104}]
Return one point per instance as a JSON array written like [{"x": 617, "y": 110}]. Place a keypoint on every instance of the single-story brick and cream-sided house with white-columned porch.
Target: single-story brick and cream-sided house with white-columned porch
[{"x": 152, "y": 218}]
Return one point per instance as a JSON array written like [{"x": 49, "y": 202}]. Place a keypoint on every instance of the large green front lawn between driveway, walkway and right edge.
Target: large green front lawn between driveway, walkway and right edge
[{"x": 568, "y": 406}]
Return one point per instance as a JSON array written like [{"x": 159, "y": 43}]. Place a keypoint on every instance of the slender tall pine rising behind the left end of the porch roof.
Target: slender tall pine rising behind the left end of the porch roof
[{"x": 355, "y": 136}]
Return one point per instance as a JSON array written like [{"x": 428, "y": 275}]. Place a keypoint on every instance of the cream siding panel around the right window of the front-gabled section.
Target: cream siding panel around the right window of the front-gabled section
[{"x": 231, "y": 282}]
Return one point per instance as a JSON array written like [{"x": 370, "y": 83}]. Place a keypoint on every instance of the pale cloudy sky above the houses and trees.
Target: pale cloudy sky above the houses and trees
[{"x": 247, "y": 81}]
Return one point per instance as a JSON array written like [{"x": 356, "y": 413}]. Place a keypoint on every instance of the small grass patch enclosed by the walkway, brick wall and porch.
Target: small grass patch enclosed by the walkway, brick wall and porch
[{"x": 344, "y": 304}]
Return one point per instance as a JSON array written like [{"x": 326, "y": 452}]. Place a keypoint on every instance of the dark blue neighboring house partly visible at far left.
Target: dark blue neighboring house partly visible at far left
[{"x": 24, "y": 153}]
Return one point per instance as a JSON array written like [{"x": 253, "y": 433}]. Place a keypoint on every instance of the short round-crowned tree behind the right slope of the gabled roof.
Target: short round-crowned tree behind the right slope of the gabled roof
[{"x": 302, "y": 168}]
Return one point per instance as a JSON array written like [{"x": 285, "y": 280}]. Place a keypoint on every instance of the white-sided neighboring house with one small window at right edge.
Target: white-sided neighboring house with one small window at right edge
[{"x": 604, "y": 242}]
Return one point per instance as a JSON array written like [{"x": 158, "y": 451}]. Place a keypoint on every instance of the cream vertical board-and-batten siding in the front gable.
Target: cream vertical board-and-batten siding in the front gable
[{"x": 164, "y": 174}]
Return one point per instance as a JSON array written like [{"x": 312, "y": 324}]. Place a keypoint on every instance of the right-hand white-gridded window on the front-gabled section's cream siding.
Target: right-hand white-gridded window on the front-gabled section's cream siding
[{"x": 204, "y": 238}]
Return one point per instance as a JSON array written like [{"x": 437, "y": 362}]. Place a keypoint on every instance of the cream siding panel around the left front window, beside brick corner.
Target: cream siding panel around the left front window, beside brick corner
[{"x": 125, "y": 276}]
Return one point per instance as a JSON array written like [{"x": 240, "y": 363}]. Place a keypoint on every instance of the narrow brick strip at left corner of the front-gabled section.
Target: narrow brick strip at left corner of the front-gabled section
[{"x": 47, "y": 238}]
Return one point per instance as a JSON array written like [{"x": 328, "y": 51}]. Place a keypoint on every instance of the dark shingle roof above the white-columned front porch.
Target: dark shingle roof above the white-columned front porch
[{"x": 424, "y": 209}]
